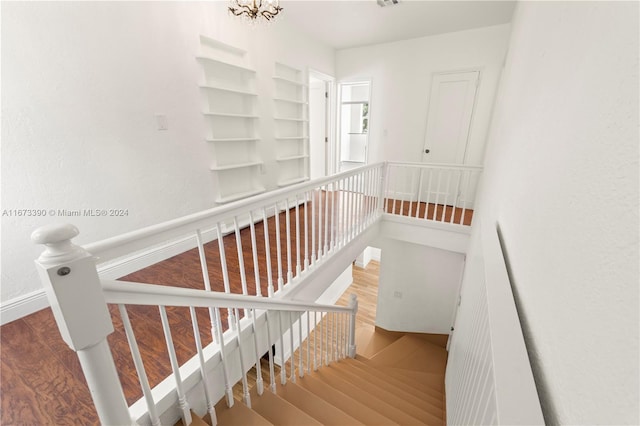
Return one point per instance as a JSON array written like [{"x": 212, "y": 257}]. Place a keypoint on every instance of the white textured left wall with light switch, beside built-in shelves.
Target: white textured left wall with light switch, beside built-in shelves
[{"x": 81, "y": 83}]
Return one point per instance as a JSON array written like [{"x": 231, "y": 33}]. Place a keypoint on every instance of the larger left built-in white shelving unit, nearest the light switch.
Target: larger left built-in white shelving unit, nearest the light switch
[{"x": 231, "y": 113}]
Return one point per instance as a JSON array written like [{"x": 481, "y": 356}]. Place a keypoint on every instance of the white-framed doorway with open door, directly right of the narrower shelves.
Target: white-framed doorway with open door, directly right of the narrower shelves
[{"x": 321, "y": 149}]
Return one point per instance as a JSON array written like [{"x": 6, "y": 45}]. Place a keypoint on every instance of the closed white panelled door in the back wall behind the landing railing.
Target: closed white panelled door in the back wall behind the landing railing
[{"x": 451, "y": 104}]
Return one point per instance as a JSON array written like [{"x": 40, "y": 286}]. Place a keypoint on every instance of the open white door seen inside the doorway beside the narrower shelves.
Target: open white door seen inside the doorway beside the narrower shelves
[{"x": 318, "y": 134}]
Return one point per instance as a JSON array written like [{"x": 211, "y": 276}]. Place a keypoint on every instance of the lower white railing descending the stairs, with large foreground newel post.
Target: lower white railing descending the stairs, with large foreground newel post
[{"x": 69, "y": 271}]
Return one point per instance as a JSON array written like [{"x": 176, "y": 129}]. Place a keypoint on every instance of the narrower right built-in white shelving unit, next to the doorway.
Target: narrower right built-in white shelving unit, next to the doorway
[{"x": 291, "y": 116}]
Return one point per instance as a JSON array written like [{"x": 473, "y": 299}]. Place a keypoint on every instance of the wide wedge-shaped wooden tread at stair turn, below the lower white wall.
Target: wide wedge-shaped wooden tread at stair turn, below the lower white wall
[{"x": 412, "y": 353}]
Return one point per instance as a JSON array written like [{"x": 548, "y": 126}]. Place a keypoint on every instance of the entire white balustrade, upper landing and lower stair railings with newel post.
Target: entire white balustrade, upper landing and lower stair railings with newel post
[{"x": 297, "y": 230}]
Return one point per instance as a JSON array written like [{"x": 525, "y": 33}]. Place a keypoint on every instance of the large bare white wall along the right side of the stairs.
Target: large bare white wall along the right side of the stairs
[{"x": 562, "y": 182}]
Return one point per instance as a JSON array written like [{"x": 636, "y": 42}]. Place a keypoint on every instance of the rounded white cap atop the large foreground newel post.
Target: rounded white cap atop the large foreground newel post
[{"x": 57, "y": 239}]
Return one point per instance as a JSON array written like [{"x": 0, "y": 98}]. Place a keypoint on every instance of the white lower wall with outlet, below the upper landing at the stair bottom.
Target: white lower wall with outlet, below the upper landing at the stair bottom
[{"x": 418, "y": 287}]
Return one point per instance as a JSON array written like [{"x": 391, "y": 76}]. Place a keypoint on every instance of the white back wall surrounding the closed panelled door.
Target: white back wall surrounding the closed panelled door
[{"x": 400, "y": 74}]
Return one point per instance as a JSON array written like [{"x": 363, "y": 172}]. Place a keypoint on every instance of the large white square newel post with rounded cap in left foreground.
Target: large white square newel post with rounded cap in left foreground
[{"x": 70, "y": 279}]
